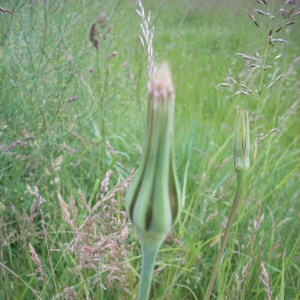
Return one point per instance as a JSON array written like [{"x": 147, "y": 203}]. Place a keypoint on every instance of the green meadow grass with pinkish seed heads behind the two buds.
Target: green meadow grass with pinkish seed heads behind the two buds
[{"x": 69, "y": 113}]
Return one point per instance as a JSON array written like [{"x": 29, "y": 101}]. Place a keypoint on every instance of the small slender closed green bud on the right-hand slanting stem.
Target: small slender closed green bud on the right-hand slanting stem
[{"x": 241, "y": 147}]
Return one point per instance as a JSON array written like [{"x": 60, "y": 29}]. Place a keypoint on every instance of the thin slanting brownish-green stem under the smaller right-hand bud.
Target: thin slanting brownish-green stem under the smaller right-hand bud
[{"x": 237, "y": 198}]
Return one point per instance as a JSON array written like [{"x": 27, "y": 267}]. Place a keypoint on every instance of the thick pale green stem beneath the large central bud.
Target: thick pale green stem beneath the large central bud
[{"x": 149, "y": 253}]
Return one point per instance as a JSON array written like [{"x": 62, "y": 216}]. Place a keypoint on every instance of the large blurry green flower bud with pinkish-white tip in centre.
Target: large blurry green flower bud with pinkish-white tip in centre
[{"x": 153, "y": 199}]
